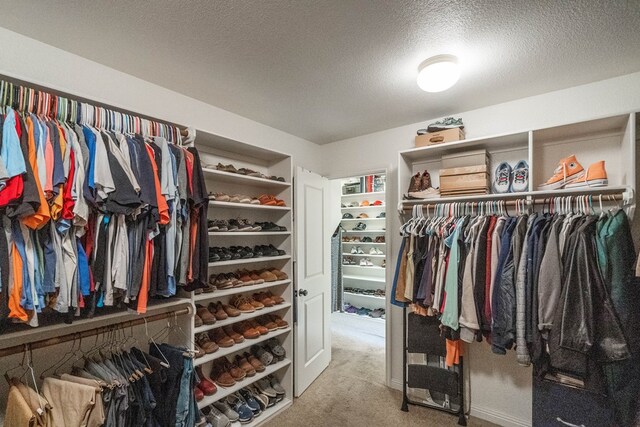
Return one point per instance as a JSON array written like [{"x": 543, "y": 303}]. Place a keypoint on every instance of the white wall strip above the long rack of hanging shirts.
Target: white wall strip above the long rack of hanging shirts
[{"x": 30, "y": 60}]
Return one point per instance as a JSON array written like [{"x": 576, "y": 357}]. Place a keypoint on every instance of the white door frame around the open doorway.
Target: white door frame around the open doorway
[{"x": 389, "y": 248}]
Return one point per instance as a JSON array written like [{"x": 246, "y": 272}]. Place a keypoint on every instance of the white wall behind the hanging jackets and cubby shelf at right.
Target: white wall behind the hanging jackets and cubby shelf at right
[{"x": 500, "y": 389}]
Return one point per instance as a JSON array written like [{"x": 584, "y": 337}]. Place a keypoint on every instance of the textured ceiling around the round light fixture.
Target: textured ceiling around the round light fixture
[{"x": 331, "y": 69}]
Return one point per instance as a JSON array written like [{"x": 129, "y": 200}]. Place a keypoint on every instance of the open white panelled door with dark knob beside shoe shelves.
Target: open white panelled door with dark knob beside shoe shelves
[{"x": 312, "y": 278}]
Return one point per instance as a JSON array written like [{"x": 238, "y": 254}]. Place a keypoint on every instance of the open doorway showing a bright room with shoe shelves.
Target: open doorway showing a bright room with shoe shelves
[{"x": 359, "y": 267}]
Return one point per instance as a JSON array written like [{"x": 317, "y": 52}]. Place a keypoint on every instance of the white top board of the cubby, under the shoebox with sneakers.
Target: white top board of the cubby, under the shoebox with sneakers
[{"x": 504, "y": 141}]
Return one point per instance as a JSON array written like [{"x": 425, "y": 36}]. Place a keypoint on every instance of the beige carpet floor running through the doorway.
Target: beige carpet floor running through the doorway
[{"x": 351, "y": 392}]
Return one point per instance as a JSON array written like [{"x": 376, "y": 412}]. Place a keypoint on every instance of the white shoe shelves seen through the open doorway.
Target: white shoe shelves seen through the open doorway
[{"x": 372, "y": 277}]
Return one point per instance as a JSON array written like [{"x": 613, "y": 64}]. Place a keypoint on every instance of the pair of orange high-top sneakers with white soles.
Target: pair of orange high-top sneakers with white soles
[{"x": 571, "y": 174}]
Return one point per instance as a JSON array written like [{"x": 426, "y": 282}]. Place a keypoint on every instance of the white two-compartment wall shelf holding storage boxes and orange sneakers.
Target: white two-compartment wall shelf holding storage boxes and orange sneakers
[{"x": 611, "y": 139}]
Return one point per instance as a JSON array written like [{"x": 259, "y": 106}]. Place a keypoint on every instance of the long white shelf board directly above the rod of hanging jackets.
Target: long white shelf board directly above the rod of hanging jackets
[{"x": 513, "y": 196}]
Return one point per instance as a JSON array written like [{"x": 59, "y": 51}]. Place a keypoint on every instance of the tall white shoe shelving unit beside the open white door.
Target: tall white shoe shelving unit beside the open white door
[{"x": 221, "y": 150}]
